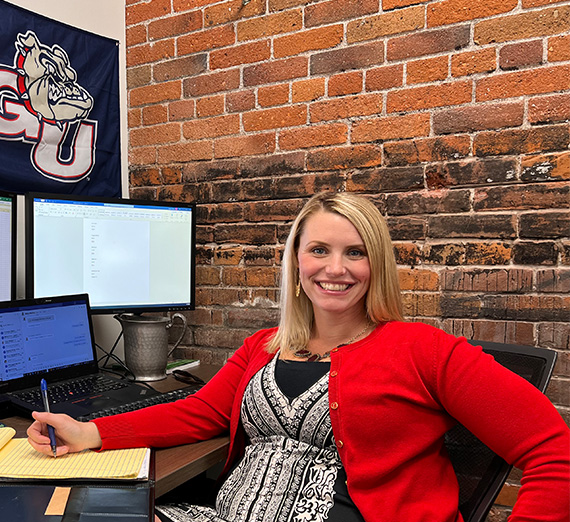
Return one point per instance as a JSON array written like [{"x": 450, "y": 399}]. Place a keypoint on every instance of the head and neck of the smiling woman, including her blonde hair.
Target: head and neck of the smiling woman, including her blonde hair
[{"x": 340, "y": 252}]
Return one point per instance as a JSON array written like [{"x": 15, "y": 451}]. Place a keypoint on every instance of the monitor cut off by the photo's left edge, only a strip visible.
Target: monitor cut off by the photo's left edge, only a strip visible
[{"x": 8, "y": 221}]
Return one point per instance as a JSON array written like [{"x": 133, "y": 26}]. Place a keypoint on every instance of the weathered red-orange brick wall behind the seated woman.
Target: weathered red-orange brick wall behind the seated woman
[{"x": 452, "y": 115}]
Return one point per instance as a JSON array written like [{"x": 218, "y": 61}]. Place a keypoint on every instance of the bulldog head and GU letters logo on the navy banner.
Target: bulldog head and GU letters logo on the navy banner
[{"x": 42, "y": 103}]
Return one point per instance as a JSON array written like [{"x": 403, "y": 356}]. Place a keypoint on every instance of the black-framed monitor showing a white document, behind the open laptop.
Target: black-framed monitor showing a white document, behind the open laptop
[{"x": 128, "y": 255}]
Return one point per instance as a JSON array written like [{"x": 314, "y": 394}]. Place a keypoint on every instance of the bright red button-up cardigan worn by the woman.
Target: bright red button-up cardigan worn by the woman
[{"x": 392, "y": 397}]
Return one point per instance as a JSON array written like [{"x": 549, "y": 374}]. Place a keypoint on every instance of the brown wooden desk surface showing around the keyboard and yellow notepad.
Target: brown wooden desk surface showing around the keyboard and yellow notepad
[{"x": 175, "y": 465}]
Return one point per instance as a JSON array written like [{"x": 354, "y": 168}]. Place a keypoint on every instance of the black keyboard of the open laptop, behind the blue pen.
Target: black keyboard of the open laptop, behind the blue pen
[{"x": 71, "y": 390}]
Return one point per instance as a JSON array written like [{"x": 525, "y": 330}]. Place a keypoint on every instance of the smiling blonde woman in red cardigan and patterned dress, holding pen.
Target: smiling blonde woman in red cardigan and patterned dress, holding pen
[{"x": 339, "y": 414}]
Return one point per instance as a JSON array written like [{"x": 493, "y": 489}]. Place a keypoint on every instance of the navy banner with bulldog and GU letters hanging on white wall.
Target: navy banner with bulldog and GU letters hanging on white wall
[{"x": 59, "y": 107}]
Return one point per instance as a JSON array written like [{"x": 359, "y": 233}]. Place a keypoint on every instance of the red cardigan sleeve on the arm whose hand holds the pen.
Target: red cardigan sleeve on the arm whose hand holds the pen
[{"x": 200, "y": 416}]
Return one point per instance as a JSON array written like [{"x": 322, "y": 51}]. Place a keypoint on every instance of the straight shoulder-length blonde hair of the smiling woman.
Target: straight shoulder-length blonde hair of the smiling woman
[{"x": 383, "y": 299}]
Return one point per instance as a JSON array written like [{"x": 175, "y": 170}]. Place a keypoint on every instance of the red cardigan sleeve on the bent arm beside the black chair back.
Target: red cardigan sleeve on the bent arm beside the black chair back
[{"x": 514, "y": 419}]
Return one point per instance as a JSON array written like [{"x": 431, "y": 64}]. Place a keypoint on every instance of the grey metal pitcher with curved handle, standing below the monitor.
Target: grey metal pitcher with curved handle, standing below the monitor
[{"x": 146, "y": 344}]
